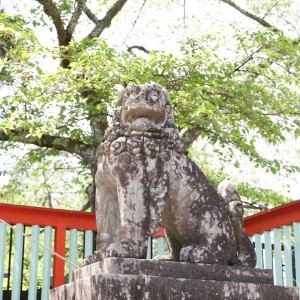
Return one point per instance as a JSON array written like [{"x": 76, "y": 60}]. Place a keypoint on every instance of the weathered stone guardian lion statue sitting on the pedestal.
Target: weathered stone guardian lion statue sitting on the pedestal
[{"x": 145, "y": 178}]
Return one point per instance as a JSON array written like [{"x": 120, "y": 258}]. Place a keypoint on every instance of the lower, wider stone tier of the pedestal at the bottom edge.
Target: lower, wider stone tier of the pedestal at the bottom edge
[{"x": 137, "y": 287}]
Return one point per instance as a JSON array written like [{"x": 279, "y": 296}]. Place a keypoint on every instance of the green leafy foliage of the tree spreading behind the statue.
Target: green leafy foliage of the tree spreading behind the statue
[{"x": 232, "y": 101}]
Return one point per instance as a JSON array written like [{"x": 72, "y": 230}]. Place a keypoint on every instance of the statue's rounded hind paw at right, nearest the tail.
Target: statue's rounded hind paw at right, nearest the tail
[{"x": 197, "y": 254}]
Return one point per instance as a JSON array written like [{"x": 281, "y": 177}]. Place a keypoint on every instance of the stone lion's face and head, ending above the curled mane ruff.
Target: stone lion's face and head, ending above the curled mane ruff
[{"x": 143, "y": 110}]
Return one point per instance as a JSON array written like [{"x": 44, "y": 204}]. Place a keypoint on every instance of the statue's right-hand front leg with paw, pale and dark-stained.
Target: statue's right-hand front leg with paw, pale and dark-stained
[{"x": 133, "y": 200}]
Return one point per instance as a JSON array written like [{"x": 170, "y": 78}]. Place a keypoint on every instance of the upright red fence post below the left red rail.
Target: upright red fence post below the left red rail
[{"x": 58, "y": 263}]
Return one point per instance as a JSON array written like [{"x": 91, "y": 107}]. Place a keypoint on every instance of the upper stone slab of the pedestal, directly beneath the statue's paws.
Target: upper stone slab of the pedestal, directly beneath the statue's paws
[{"x": 216, "y": 272}]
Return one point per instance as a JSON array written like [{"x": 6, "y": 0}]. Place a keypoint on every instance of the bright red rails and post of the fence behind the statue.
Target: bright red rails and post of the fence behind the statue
[{"x": 61, "y": 220}]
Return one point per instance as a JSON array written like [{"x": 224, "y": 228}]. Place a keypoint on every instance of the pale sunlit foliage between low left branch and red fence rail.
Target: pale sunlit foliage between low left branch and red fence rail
[{"x": 40, "y": 181}]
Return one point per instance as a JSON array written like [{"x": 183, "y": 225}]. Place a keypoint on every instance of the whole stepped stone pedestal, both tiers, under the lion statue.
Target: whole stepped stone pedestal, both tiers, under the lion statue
[{"x": 127, "y": 278}]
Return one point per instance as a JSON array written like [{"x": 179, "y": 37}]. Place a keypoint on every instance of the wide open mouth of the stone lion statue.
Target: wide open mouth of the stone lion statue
[{"x": 146, "y": 115}]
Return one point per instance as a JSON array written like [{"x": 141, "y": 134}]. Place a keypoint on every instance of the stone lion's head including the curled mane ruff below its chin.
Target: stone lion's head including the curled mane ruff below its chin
[{"x": 143, "y": 122}]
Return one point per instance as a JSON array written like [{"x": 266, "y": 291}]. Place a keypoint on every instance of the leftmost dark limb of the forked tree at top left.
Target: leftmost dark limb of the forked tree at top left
[{"x": 52, "y": 11}]
